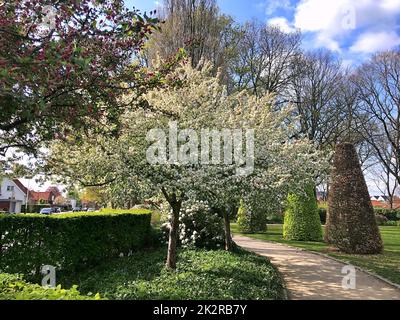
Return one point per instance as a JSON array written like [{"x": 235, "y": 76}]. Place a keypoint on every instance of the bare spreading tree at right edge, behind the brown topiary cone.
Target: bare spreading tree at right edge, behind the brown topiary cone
[{"x": 378, "y": 83}]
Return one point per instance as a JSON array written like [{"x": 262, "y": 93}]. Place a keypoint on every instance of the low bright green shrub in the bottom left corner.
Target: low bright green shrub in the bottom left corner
[{"x": 14, "y": 287}]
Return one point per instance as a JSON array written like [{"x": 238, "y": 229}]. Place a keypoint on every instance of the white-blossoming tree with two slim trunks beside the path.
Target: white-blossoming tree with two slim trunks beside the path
[{"x": 245, "y": 148}]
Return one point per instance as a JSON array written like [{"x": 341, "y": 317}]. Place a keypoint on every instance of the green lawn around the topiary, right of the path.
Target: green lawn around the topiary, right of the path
[{"x": 386, "y": 265}]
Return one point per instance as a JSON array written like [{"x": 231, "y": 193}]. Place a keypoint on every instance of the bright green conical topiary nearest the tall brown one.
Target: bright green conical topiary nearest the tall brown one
[{"x": 302, "y": 222}]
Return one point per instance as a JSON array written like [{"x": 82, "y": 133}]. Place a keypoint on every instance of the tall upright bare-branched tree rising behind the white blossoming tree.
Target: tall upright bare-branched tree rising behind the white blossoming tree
[{"x": 195, "y": 25}]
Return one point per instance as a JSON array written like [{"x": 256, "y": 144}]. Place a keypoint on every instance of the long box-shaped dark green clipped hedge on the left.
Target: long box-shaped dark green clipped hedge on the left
[{"x": 69, "y": 242}]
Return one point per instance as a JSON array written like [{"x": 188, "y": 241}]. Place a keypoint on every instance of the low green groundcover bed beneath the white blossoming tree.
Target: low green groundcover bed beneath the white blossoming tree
[{"x": 200, "y": 274}]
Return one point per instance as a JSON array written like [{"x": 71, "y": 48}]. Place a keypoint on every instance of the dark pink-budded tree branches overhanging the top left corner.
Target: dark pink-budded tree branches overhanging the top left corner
[{"x": 62, "y": 63}]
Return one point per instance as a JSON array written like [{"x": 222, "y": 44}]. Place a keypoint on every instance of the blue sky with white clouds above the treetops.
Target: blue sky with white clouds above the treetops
[{"x": 352, "y": 28}]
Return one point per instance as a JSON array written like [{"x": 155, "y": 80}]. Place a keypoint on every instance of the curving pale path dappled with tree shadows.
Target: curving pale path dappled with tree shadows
[{"x": 310, "y": 276}]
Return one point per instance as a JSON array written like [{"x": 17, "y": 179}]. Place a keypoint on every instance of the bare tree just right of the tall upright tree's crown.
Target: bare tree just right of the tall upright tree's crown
[{"x": 263, "y": 57}]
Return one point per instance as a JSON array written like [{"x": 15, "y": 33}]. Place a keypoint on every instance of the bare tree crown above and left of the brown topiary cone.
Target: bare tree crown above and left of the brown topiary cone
[{"x": 317, "y": 92}]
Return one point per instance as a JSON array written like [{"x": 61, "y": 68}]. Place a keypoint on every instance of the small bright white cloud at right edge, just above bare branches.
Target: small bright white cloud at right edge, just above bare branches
[{"x": 375, "y": 41}]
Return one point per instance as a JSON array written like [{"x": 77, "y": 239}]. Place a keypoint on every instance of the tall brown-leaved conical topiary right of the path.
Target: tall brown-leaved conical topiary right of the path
[{"x": 351, "y": 224}]
